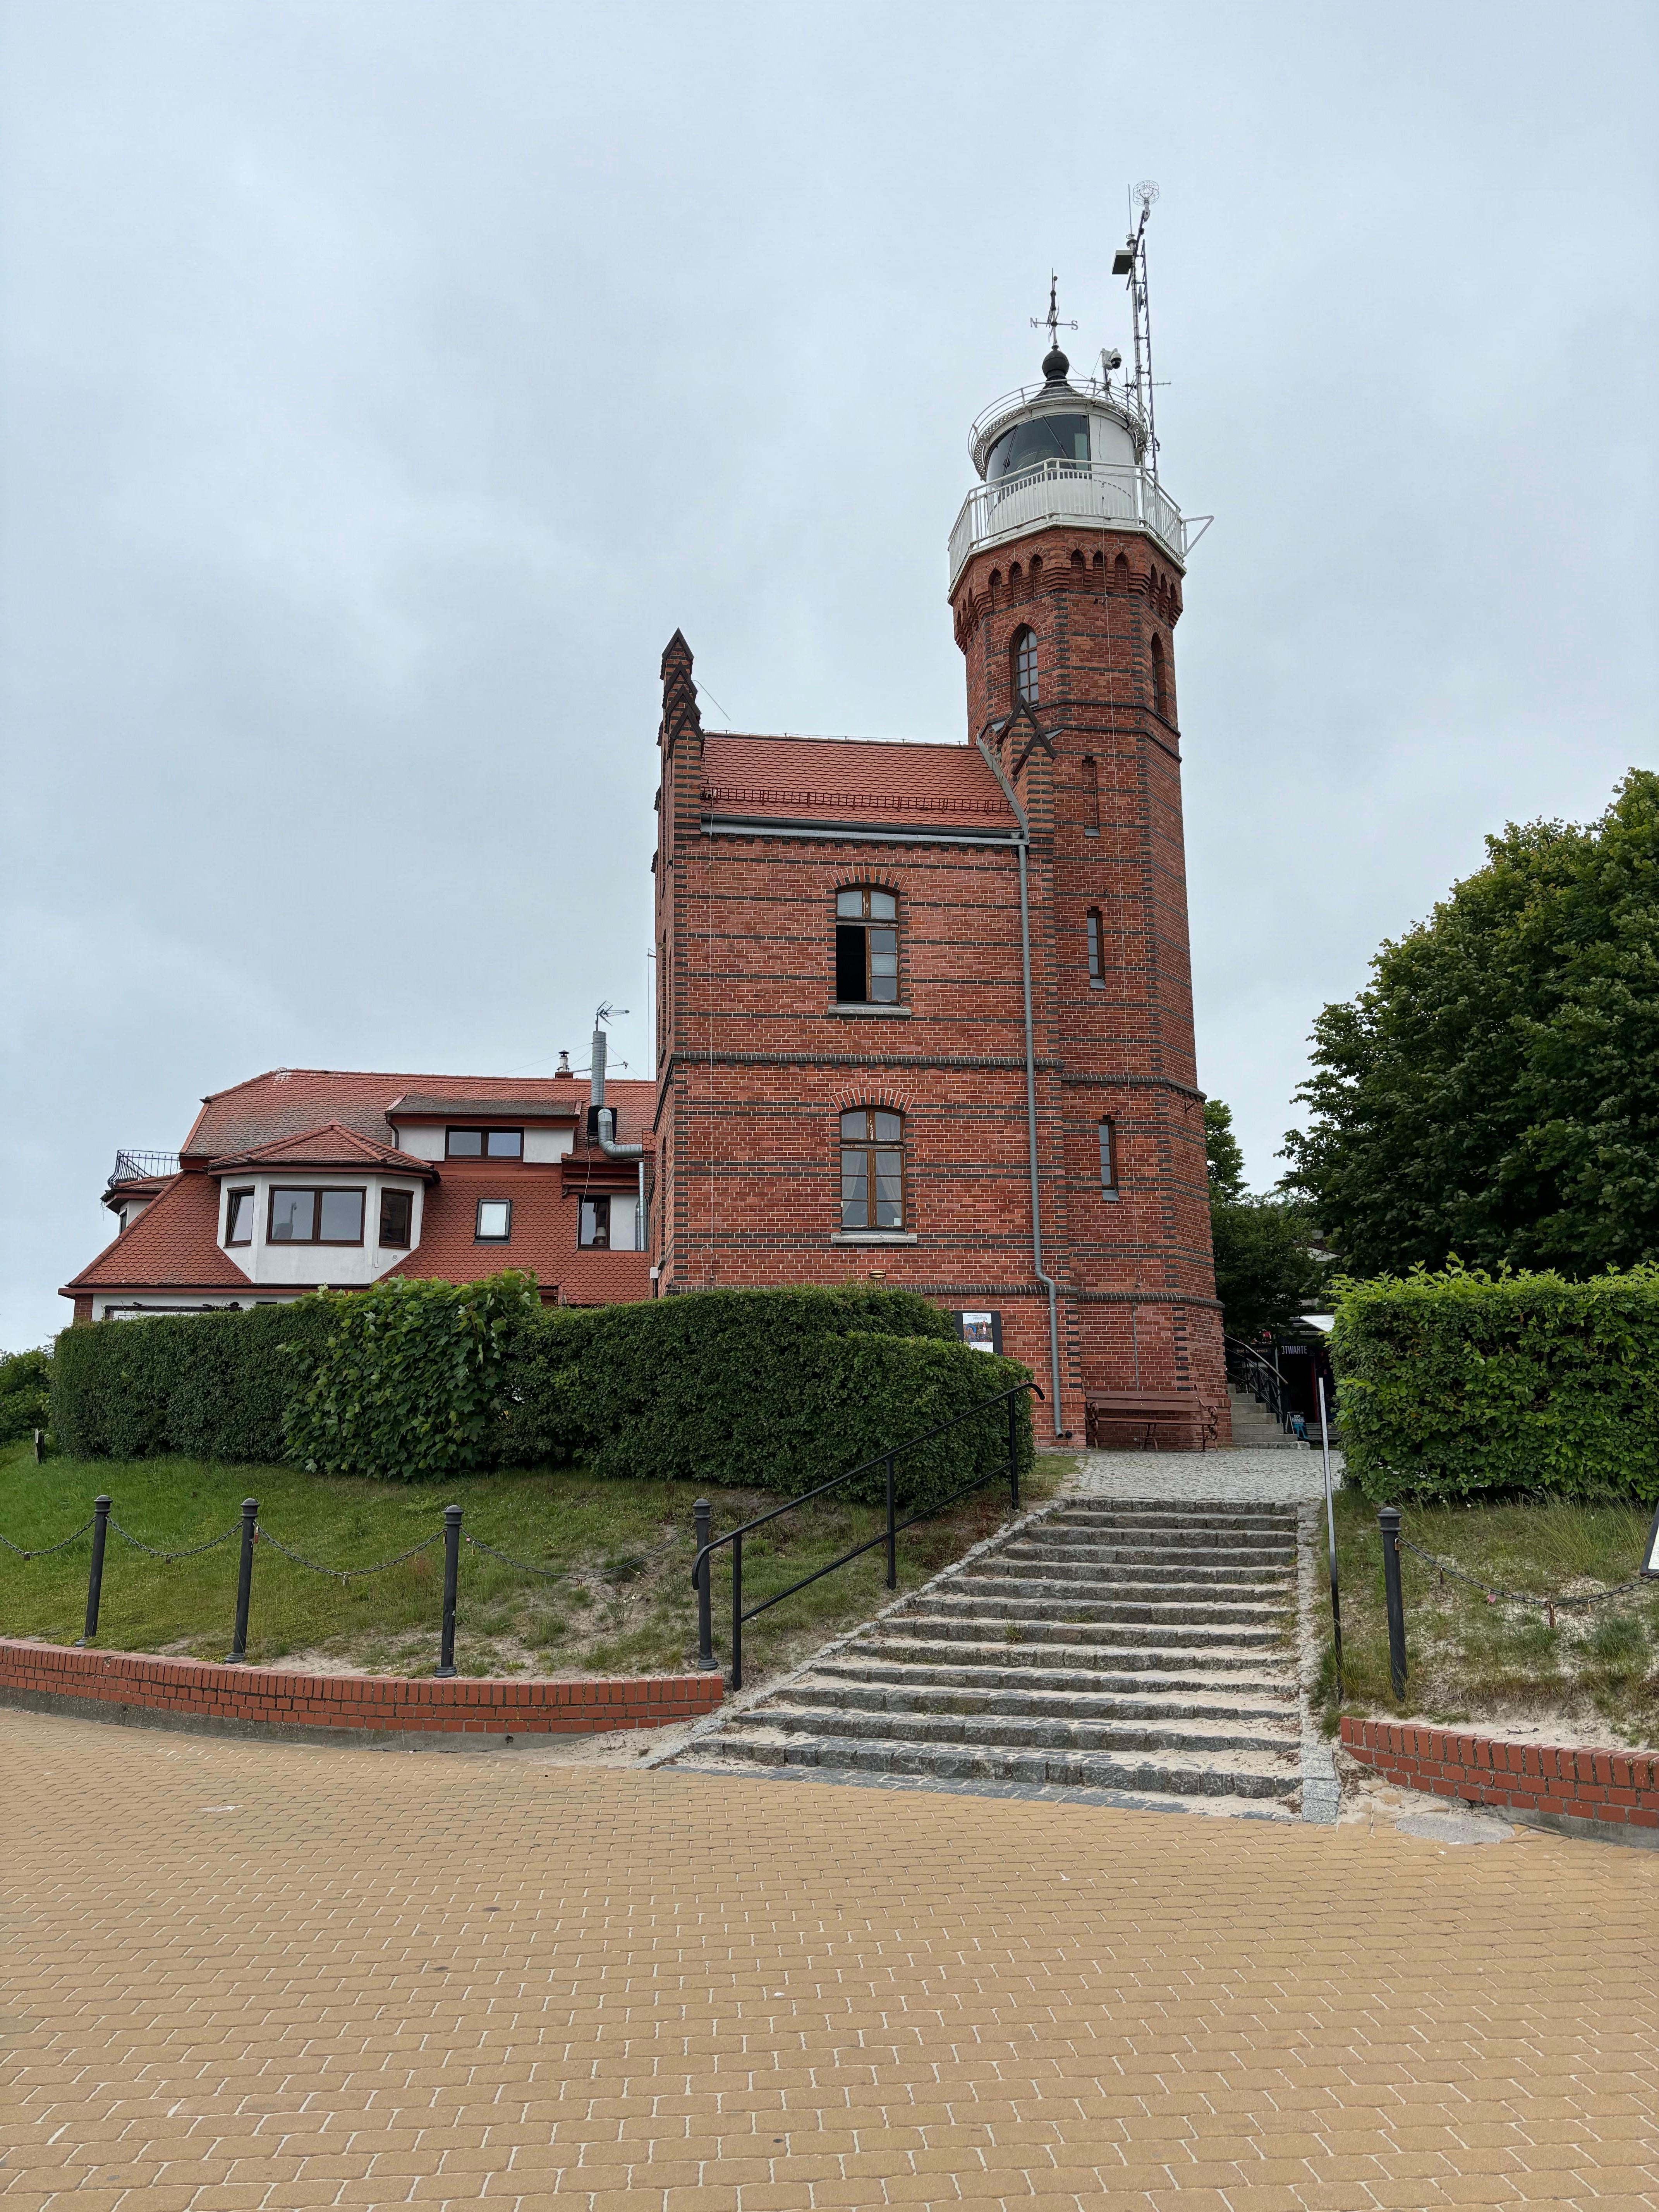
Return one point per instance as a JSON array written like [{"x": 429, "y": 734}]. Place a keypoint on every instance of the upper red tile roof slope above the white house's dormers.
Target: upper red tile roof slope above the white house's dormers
[{"x": 293, "y": 1103}]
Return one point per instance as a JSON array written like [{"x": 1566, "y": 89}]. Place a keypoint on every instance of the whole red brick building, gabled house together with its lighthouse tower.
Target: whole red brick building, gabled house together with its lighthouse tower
[{"x": 926, "y": 1012}]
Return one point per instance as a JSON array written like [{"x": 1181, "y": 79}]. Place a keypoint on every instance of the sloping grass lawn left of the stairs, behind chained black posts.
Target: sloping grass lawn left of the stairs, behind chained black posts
[{"x": 618, "y": 1598}]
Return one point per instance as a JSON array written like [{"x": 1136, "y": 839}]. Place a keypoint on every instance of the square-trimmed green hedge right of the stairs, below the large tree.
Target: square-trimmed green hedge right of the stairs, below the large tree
[{"x": 1461, "y": 1384}]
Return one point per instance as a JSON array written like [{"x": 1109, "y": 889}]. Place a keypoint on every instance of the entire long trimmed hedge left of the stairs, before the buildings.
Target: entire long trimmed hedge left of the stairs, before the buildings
[{"x": 766, "y": 1388}]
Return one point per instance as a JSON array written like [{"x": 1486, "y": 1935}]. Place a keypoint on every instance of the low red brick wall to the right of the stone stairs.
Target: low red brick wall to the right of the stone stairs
[{"x": 1576, "y": 1791}]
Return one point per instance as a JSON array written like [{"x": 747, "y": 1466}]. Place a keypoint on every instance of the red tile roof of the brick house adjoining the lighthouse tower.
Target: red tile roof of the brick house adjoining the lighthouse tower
[{"x": 853, "y": 780}]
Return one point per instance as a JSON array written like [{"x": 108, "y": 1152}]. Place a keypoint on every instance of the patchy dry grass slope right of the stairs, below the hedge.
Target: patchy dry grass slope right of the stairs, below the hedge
[{"x": 1474, "y": 1662}]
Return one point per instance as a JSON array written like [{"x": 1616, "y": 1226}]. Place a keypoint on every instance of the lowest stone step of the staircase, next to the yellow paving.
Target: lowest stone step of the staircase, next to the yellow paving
[{"x": 1081, "y": 1771}]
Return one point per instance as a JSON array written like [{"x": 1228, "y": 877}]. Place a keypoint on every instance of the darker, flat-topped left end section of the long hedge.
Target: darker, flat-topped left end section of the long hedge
[{"x": 200, "y": 1386}]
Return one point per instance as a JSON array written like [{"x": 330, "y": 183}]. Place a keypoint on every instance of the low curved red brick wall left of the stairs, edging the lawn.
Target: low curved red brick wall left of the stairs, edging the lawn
[{"x": 253, "y": 1702}]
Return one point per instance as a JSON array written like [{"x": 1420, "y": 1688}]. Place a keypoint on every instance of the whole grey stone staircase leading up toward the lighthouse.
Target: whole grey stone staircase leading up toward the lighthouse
[{"x": 1138, "y": 1649}]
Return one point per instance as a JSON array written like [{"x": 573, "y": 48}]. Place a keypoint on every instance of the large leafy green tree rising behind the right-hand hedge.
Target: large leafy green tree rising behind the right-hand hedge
[{"x": 1494, "y": 1094}]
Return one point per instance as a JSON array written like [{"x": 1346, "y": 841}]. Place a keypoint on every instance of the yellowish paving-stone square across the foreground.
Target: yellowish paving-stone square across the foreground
[{"x": 267, "y": 1976}]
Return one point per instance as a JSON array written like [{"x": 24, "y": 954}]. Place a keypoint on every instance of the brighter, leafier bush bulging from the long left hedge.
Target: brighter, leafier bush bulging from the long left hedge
[{"x": 408, "y": 1377}]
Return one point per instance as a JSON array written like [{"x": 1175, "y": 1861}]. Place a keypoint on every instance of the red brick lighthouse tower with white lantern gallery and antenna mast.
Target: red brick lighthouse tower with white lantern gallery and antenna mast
[{"x": 1067, "y": 570}]
